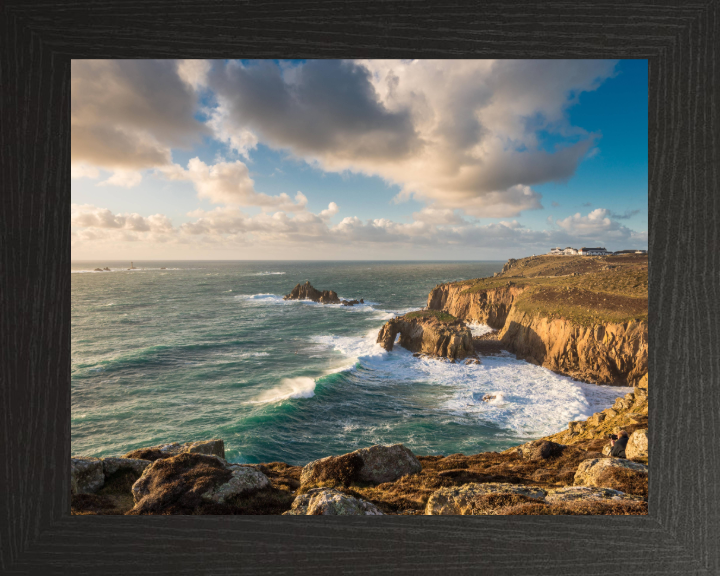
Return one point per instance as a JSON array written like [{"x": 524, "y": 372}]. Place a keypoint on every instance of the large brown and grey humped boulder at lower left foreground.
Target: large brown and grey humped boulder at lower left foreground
[{"x": 192, "y": 483}]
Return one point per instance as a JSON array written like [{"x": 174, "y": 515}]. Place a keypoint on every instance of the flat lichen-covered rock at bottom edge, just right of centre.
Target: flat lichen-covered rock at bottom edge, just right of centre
[{"x": 480, "y": 499}]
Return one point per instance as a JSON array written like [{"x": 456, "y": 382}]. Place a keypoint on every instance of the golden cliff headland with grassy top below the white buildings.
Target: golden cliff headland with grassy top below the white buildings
[{"x": 589, "y": 323}]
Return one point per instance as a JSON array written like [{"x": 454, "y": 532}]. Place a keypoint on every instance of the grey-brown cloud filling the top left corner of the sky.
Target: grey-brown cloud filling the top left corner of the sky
[{"x": 129, "y": 114}]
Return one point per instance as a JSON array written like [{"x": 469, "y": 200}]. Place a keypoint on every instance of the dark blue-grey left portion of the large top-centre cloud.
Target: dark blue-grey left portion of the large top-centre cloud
[{"x": 313, "y": 109}]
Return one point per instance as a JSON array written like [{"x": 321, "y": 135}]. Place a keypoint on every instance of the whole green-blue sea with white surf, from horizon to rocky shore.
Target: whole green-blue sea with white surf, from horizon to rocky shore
[{"x": 209, "y": 349}]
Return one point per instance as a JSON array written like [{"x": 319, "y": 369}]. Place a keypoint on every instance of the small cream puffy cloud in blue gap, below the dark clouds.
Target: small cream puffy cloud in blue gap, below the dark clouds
[{"x": 229, "y": 183}]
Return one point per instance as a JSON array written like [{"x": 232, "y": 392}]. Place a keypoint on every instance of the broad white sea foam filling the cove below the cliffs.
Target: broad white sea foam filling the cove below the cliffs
[{"x": 529, "y": 400}]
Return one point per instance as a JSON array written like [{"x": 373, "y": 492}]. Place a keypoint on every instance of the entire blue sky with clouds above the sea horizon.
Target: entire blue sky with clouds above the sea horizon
[{"x": 356, "y": 159}]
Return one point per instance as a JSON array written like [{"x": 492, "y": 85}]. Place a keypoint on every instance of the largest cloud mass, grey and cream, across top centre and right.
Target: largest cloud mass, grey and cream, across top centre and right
[{"x": 458, "y": 134}]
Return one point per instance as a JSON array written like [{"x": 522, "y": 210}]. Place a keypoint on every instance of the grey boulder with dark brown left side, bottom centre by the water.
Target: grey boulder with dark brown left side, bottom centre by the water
[{"x": 375, "y": 465}]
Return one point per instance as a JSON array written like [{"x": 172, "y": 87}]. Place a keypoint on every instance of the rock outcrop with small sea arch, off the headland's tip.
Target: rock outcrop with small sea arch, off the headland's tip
[{"x": 428, "y": 334}]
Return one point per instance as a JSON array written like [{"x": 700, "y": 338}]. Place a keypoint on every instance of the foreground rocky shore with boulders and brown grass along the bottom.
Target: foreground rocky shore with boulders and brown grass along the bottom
[{"x": 567, "y": 473}]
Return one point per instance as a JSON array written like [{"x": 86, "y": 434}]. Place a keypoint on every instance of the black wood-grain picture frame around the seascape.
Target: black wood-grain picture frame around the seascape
[{"x": 681, "y": 42}]
